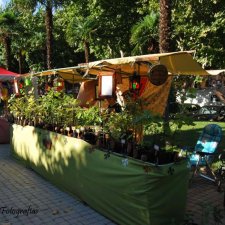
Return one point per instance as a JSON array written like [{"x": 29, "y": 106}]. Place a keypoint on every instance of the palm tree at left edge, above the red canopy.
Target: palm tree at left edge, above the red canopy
[{"x": 7, "y": 22}]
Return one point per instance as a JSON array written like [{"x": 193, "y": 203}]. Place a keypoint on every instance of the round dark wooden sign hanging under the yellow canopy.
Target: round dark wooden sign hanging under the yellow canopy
[{"x": 158, "y": 74}]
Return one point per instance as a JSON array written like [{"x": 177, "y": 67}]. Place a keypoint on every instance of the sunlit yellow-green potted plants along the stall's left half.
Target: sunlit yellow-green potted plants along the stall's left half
[{"x": 54, "y": 108}]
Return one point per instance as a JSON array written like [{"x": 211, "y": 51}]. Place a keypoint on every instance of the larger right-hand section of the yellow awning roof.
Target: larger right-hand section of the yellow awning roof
[{"x": 177, "y": 63}]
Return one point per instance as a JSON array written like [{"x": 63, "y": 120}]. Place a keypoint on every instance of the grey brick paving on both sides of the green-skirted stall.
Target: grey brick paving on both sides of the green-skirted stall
[{"x": 38, "y": 202}]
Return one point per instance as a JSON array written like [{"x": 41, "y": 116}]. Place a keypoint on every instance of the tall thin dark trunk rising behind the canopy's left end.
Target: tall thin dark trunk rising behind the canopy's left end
[{"x": 49, "y": 35}]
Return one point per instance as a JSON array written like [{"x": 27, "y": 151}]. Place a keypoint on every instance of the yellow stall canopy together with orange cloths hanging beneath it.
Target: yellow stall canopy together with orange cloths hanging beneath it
[{"x": 177, "y": 63}]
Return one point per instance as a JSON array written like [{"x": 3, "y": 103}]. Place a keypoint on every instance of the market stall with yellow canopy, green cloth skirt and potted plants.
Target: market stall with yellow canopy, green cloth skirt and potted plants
[{"x": 125, "y": 189}]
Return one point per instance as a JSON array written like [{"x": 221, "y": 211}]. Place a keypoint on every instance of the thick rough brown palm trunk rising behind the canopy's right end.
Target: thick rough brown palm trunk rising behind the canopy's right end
[{"x": 165, "y": 26}]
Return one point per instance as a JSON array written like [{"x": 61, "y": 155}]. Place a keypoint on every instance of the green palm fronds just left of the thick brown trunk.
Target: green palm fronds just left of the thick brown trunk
[{"x": 144, "y": 35}]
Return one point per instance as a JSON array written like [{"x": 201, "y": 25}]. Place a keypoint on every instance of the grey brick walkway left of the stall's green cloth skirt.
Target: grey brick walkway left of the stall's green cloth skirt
[{"x": 36, "y": 201}]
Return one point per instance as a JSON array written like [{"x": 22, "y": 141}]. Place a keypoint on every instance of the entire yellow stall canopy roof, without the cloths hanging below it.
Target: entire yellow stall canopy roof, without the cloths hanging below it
[{"x": 177, "y": 63}]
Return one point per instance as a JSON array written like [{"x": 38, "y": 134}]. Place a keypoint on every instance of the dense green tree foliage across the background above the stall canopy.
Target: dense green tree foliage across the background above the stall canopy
[{"x": 110, "y": 28}]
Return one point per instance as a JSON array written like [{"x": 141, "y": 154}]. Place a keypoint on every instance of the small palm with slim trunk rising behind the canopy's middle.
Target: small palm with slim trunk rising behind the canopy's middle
[{"x": 79, "y": 33}]
